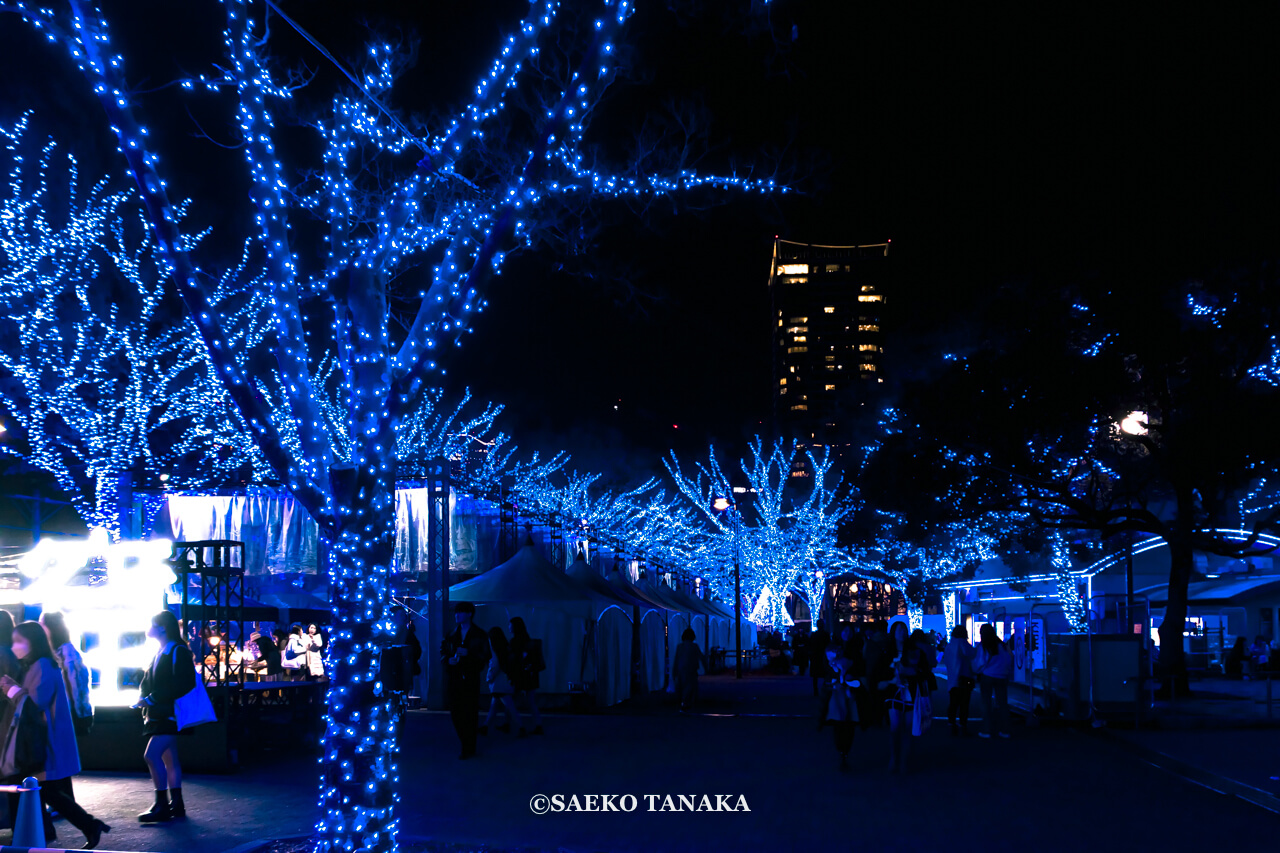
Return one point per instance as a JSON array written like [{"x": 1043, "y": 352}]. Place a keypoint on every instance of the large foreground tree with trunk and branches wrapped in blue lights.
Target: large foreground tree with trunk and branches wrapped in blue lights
[{"x": 508, "y": 172}]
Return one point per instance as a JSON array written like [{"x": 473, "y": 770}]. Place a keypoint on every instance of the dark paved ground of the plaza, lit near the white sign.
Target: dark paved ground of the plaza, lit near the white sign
[{"x": 1046, "y": 790}]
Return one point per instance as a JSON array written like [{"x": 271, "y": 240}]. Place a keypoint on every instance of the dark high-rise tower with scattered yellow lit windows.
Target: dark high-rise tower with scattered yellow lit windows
[{"x": 829, "y": 304}]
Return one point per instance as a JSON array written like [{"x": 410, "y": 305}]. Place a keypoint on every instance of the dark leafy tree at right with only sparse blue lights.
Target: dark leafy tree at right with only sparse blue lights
[{"x": 1132, "y": 407}]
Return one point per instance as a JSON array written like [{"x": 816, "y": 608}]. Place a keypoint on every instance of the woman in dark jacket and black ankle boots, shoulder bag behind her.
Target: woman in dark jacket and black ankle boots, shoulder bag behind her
[{"x": 171, "y": 677}]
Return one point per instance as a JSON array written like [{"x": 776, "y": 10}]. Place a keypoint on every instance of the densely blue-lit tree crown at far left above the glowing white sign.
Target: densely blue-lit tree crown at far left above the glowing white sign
[{"x": 95, "y": 368}]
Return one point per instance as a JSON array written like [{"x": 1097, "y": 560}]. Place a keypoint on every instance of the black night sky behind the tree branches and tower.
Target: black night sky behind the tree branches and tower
[{"x": 1037, "y": 147}]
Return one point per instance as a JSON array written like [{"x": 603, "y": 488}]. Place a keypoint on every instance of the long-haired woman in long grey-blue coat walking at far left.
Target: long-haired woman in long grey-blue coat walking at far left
[{"x": 42, "y": 683}]
